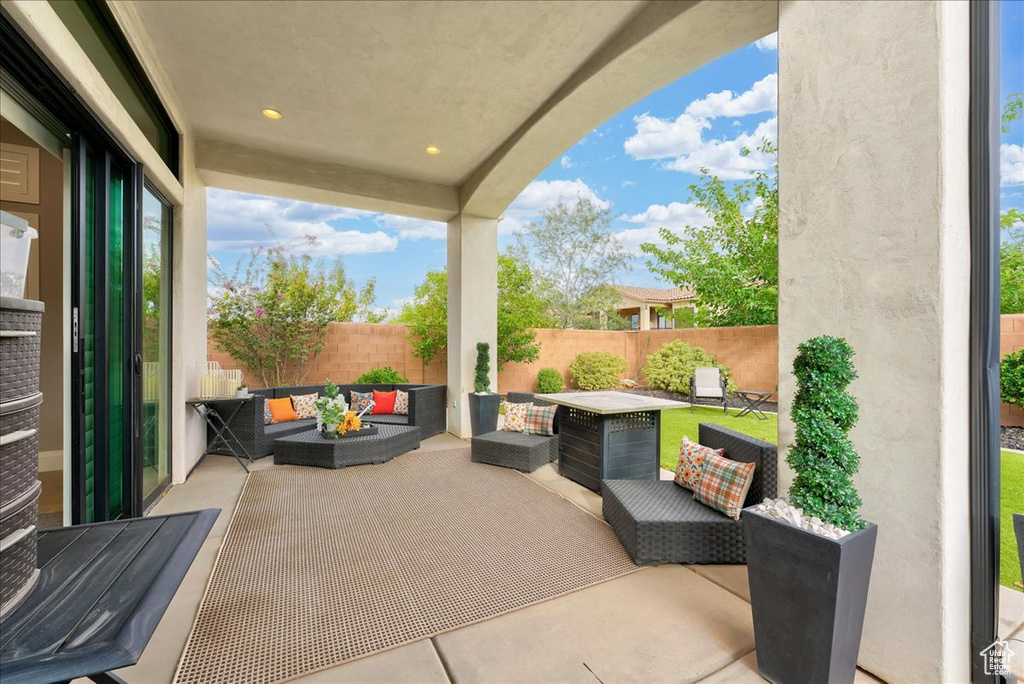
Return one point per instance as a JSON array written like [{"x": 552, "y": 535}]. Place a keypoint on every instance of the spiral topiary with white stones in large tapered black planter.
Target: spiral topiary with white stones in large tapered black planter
[{"x": 809, "y": 560}]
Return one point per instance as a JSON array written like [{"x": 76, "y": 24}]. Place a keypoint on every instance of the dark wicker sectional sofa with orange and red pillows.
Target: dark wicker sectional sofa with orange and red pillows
[{"x": 426, "y": 411}]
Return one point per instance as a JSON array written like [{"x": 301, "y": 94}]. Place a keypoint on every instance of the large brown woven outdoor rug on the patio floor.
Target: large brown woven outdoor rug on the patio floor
[{"x": 323, "y": 567}]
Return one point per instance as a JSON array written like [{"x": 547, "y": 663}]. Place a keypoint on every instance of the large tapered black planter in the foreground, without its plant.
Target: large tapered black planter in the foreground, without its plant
[{"x": 808, "y": 596}]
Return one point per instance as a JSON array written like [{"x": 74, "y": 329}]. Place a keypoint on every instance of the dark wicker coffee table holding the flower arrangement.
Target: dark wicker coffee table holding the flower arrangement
[{"x": 311, "y": 449}]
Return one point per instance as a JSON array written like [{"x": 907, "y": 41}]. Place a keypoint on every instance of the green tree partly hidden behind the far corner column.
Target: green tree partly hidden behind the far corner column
[{"x": 520, "y": 311}]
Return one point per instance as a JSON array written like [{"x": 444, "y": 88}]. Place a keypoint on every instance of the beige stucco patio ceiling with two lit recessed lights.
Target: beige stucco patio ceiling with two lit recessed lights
[{"x": 366, "y": 88}]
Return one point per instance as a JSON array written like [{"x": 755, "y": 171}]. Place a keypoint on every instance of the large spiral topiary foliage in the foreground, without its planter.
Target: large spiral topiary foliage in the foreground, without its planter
[{"x": 824, "y": 457}]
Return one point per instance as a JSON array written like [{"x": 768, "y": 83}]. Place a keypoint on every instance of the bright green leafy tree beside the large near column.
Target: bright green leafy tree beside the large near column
[{"x": 733, "y": 264}]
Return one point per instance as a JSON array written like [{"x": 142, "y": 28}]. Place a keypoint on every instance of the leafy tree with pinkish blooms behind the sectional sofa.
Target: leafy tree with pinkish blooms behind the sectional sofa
[{"x": 273, "y": 316}]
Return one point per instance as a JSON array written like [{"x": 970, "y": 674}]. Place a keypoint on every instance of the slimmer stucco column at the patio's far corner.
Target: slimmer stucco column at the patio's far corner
[{"x": 473, "y": 272}]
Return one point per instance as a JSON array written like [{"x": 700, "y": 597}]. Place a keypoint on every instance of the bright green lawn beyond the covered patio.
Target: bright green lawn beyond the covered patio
[{"x": 680, "y": 422}]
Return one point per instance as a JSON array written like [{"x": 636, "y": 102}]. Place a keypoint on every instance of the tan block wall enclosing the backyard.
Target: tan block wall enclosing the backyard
[{"x": 751, "y": 353}]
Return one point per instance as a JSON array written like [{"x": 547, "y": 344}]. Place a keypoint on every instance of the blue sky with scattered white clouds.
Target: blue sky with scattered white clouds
[{"x": 641, "y": 164}]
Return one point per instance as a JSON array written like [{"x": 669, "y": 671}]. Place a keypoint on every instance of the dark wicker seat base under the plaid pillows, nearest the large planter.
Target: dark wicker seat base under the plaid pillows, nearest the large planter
[{"x": 661, "y": 523}]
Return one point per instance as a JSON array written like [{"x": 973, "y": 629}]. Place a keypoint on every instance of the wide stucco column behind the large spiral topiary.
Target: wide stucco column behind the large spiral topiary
[{"x": 874, "y": 247}]
